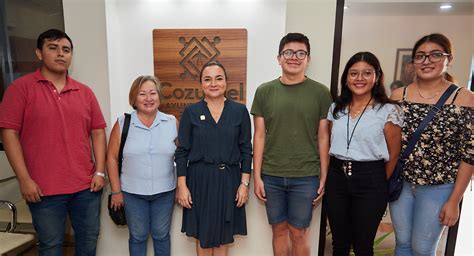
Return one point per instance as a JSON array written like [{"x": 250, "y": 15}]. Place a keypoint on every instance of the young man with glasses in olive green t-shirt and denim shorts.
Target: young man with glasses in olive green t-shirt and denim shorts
[{"x": 287, "y": 114}]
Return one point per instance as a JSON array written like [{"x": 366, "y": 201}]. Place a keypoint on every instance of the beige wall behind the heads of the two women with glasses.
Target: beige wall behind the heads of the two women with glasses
[{"x": 382, "y": 35}]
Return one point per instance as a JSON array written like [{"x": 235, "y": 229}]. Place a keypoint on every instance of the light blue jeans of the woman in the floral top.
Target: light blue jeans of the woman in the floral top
[{"x": 415, "y": 216}]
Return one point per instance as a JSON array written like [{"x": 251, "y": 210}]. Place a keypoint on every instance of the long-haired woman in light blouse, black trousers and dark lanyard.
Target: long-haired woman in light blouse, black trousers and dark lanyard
[{"x": 364, "y": 127}]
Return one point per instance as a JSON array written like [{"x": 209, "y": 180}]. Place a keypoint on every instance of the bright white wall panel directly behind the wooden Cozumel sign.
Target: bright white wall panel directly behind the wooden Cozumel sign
[{"x": 129, "y": 28}]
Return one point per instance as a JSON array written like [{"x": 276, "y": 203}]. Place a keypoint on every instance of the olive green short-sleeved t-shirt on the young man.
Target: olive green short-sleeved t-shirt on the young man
[{"x": 292, "y": 114}]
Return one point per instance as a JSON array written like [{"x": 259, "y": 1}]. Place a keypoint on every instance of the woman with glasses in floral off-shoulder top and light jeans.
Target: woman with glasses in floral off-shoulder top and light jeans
[{"x": 439, "y": 168}]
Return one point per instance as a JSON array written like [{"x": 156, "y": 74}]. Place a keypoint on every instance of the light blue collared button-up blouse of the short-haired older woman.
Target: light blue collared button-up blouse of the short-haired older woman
[{"x": 148, "y": 155}]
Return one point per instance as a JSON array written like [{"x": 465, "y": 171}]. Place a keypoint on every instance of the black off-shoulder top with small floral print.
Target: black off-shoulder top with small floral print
[{"x": 446, "y": 141}]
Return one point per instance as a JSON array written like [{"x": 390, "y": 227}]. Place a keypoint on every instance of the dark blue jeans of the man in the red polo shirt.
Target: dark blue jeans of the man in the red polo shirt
[{"x": 49, "y": 221}]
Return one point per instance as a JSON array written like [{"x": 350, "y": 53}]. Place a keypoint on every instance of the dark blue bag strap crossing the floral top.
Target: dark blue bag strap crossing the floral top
[{"x": 428, "y": 118}]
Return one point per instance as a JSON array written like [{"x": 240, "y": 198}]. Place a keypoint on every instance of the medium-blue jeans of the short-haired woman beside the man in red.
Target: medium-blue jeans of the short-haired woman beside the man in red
[{"x": 149, "y": 214}]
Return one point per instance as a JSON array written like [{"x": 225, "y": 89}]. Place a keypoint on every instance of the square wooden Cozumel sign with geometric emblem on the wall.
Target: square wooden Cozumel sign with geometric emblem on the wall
[{"x": 179, "y": 55}]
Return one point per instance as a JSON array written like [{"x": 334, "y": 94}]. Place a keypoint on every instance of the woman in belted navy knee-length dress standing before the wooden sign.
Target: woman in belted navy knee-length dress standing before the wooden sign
[{"x": 213, "y": 163}]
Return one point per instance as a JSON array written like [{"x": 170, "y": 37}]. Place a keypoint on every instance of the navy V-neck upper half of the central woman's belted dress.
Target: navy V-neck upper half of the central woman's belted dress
[{"x": 201, "y": 139}]
